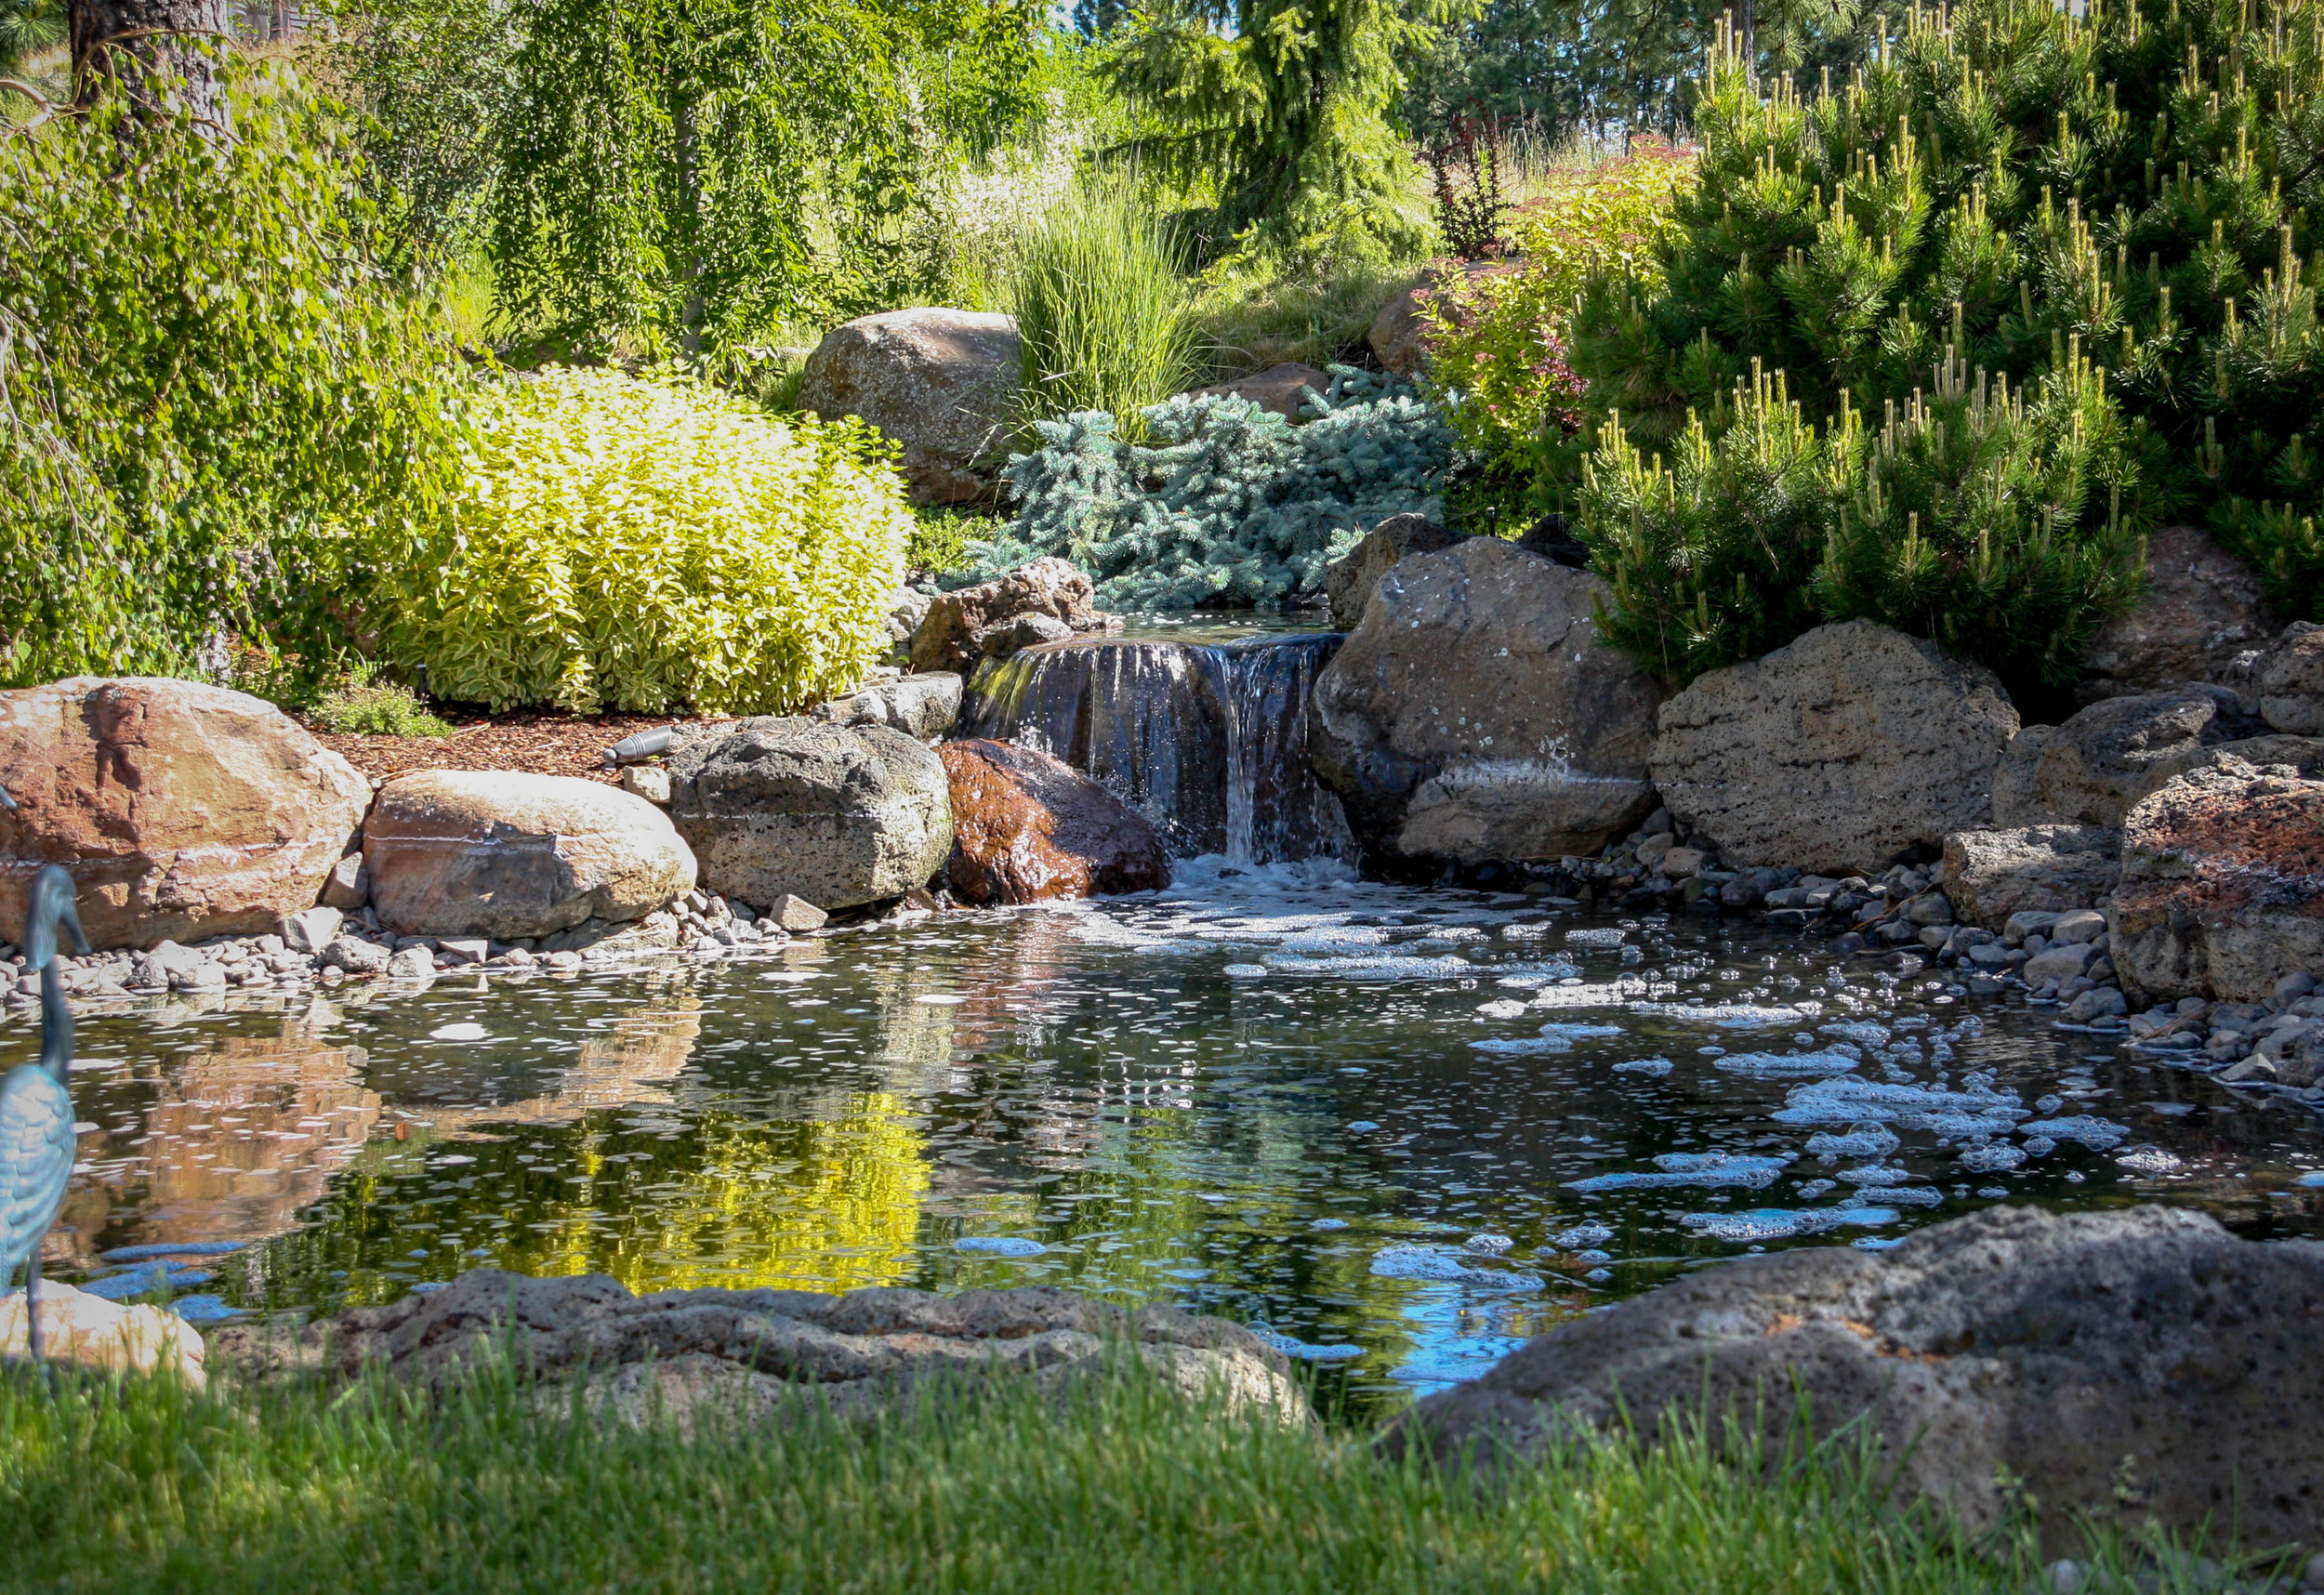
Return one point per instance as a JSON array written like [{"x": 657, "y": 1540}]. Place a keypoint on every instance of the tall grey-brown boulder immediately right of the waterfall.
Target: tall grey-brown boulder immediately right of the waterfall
[{"x": 1477, "y": 715}]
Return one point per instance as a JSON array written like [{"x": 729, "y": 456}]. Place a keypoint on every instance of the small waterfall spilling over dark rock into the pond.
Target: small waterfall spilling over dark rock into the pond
[{"x": 1205, "y": 741}]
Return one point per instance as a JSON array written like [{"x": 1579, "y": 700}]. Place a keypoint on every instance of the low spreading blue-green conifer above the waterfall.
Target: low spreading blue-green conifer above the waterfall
[{"x": 1226, "y": 503}]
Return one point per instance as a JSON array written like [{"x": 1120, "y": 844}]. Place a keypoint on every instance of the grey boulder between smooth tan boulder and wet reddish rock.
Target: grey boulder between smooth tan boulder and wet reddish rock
[{"x": 835, "y": 815}]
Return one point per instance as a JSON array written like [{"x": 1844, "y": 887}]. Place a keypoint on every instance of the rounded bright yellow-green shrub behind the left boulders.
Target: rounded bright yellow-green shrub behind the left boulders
[{"x": 643, "y": 543}]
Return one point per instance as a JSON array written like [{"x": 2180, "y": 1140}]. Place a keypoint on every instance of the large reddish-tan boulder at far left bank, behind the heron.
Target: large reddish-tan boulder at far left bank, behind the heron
[{"x": 182, "y": 810}]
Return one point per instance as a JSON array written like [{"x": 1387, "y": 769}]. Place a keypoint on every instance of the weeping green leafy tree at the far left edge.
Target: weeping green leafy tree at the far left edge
[{"x": 208, "y": 385}]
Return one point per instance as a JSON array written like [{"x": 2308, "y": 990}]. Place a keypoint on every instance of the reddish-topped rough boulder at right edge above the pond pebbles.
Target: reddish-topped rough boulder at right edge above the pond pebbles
[{"x": 2223, "y": 887}]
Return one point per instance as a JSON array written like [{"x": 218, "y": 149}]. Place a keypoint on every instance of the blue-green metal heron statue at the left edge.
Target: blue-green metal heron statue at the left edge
[{"x": 36, "y": 1103}]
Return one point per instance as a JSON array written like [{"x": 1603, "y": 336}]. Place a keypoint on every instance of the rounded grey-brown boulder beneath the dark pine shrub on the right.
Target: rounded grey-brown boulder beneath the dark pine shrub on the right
[{"x": 1842, "y": 752}]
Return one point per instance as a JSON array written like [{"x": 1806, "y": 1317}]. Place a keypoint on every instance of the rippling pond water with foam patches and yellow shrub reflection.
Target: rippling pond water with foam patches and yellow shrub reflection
[{"x": 1400, "y": 1129}]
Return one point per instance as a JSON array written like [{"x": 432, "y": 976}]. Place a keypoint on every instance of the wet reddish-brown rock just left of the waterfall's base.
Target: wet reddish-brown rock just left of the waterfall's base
[{"x": 1028, "y": 827}]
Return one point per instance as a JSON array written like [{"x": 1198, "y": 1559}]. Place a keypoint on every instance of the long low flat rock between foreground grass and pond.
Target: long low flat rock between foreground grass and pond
[{"x": 754, "y": 1354}]
